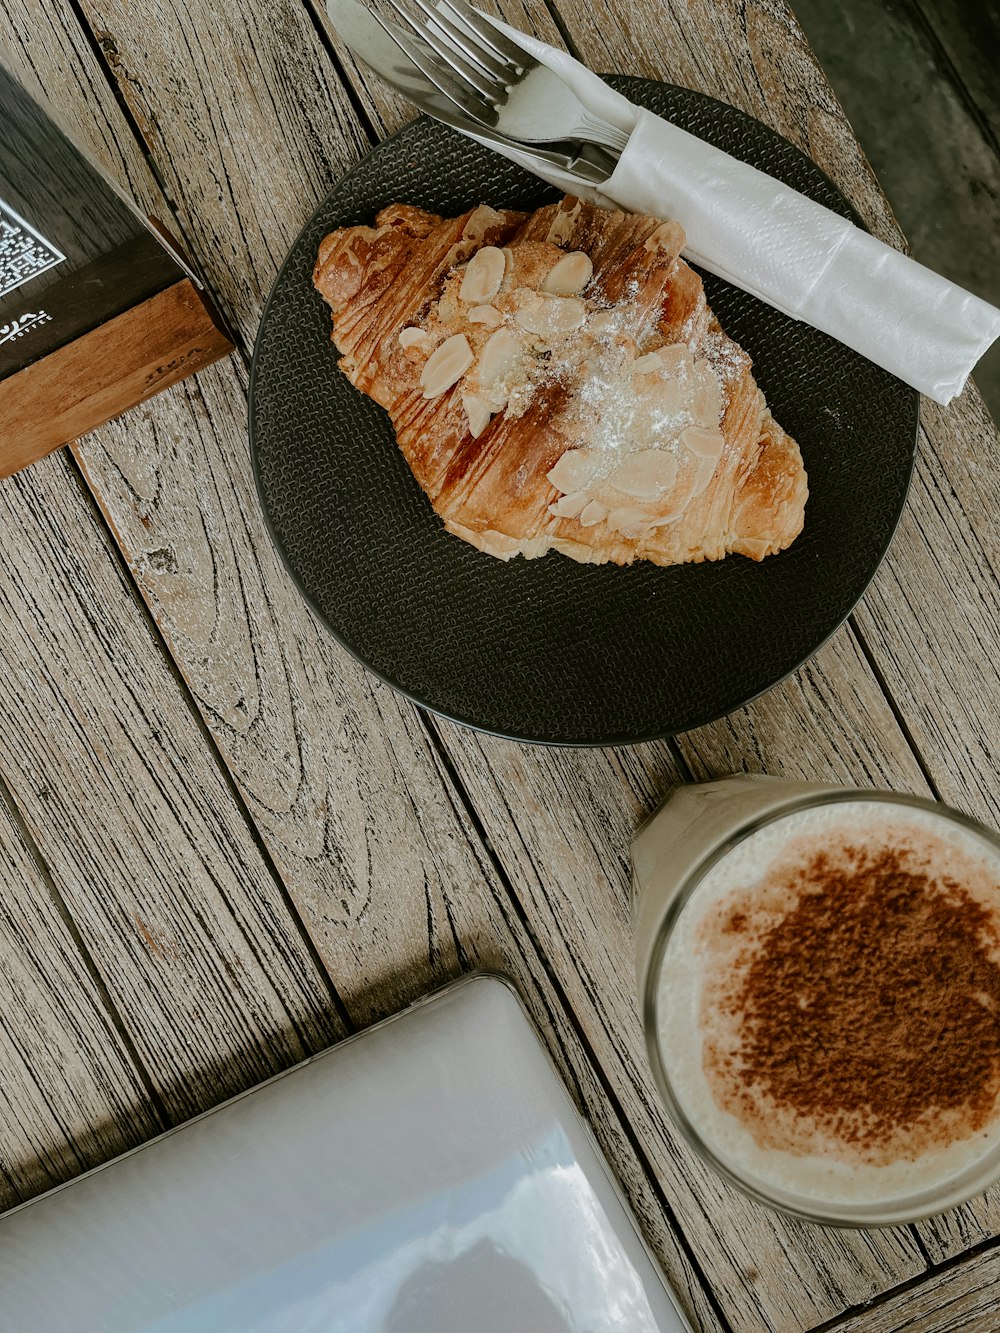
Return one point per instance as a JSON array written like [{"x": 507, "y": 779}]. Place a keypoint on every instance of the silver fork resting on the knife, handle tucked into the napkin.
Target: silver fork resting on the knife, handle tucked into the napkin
[{"x": 494, "y": 81}]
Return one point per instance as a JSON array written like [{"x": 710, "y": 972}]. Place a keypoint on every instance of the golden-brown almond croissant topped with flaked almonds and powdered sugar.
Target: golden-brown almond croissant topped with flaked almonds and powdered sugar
[{"x": 558, "y": 382}]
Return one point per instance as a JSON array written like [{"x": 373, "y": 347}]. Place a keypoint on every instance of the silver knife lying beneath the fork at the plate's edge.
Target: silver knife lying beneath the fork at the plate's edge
[{"x": 369, "y": 41}]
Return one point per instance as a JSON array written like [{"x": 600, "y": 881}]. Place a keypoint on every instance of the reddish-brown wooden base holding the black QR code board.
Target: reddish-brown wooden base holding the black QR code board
[{"x": 114, "y": 367}]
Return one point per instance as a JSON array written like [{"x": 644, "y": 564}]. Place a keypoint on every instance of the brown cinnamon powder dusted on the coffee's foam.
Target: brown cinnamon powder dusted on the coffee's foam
[{"x": 853, "y": 1004}]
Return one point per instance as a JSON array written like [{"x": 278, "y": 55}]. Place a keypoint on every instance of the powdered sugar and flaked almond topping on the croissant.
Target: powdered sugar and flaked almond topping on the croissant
[{"x": 626, "y": 391}]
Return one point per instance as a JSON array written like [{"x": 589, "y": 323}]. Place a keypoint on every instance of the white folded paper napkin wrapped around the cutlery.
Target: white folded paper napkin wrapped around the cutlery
[{"x": 781, "y": 246}]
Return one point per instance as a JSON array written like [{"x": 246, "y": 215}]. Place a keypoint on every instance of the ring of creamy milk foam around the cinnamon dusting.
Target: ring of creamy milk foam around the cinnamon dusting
[{"x": 818, "y": 1171}]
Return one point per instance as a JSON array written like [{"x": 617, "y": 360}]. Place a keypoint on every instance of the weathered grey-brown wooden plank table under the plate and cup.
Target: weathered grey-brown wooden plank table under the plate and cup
[{"x": 223, "y": 844}]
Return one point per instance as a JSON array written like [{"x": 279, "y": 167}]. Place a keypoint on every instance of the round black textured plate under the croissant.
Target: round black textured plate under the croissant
[{"x": 549, "y": 650}]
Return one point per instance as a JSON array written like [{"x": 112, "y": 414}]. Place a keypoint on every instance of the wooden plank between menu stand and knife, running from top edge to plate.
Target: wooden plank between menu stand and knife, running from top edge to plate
[{"x": 235, "y": 73}]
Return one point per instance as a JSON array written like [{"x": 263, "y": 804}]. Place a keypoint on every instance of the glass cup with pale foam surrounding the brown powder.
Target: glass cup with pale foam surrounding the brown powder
[{"x": 706, "y": 835}]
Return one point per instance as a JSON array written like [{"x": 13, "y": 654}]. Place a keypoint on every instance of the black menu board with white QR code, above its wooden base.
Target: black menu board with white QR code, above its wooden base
[{"x": 74, "y": 254}]
